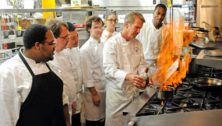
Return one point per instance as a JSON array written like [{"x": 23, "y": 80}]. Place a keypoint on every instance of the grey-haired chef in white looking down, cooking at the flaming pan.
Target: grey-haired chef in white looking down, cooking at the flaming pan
[{"x": 123, "y": 59}]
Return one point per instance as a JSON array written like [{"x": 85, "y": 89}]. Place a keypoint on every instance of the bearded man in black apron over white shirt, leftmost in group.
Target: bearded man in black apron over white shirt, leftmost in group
[{"x": 31, "y": 93}]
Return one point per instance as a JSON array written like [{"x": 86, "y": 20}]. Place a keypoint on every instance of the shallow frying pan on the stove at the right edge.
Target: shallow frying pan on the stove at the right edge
[{"x": 207, "y": 84}]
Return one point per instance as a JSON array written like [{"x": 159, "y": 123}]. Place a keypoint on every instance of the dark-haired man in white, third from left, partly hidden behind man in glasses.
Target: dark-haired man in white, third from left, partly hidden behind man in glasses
[{"x": 72, "y": 53}]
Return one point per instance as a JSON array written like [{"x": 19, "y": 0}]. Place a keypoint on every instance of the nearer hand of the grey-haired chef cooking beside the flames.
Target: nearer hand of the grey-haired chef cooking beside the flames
[{"x": 136, "y": 80}]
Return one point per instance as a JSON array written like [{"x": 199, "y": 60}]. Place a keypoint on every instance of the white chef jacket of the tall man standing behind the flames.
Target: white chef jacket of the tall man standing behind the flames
[{"x": 151, "y": 39}]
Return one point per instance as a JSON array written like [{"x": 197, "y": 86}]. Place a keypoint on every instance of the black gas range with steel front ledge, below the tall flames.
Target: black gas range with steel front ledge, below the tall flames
[{"x": 186, "y": 103}]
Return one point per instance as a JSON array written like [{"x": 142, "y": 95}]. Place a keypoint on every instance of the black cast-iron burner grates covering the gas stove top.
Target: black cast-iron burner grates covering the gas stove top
[{"x": 186, "y": 99}]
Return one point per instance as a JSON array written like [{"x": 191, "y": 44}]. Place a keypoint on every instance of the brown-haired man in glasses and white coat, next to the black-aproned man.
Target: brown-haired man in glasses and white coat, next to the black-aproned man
[{"x": 61, "y": 62}]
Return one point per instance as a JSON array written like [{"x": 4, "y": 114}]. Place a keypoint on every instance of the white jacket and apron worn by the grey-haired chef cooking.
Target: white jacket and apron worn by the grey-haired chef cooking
[{"x": 120, "y": 57}]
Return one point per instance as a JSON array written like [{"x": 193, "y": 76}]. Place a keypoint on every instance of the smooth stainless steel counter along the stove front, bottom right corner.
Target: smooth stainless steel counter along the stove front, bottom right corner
[{"x": 198, "y": 118}]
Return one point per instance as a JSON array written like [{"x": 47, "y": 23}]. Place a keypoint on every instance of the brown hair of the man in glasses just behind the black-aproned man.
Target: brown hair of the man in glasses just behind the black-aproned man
[{"x": 55, "y": 26}]
